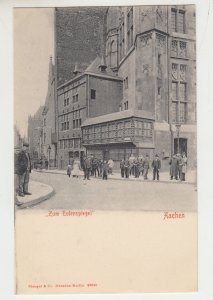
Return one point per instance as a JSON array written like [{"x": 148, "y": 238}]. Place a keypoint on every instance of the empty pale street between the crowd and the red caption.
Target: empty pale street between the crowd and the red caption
[{"x": 98, "y": 194}]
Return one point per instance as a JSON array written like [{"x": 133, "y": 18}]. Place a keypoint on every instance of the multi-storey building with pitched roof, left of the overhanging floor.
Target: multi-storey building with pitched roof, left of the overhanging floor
[{"x": 94, "y": 92}]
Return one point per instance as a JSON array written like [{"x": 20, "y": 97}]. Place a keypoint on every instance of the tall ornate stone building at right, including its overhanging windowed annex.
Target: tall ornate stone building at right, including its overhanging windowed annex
[{"x": 153, "y": 49}]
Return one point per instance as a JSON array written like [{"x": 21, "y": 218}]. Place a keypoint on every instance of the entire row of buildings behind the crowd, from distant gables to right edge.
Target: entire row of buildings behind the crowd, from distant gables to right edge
[{"x": 124, "y": 83}]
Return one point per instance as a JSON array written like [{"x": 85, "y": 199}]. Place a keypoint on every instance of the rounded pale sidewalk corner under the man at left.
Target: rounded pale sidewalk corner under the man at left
[{"x": 39, "y": 191}]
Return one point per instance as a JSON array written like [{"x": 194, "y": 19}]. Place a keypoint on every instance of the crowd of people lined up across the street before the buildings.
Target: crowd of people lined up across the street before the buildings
[{"x": 131, "y": 166}]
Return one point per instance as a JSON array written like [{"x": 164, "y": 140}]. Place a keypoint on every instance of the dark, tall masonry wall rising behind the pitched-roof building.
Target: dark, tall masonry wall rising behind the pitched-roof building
[{"x": 79, "y": 38}]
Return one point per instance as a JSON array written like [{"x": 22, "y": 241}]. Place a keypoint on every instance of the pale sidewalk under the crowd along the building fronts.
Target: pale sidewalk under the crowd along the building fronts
[{"x": 164, "y": 176}]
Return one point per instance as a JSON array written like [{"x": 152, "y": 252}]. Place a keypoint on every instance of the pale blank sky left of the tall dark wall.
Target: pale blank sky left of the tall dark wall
[{"x": 33, "y": 46}]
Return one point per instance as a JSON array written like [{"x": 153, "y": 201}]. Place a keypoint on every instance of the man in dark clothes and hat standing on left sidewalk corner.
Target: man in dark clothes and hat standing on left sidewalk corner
[{"x": 23, "y": 170}]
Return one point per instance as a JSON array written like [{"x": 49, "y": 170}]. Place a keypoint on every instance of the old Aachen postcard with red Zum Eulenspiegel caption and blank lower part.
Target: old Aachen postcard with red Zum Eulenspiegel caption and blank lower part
[{"x": 105, "y": 150}]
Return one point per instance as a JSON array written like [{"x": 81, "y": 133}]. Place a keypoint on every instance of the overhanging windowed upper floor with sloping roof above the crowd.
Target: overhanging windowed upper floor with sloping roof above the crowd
[{"x": 130, "y": 126}]
